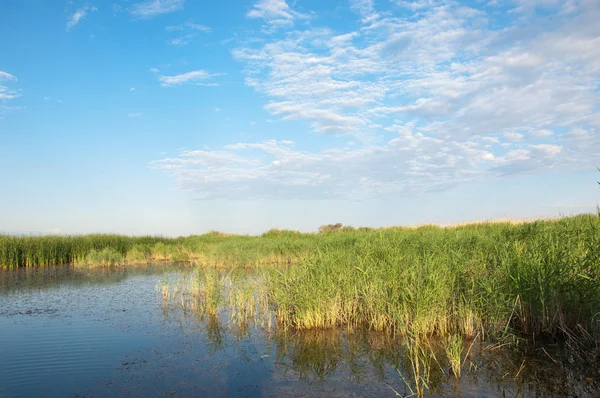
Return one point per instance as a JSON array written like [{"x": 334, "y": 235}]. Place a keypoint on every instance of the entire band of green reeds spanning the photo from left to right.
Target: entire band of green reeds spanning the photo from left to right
[{"x": 538, "y": 279}]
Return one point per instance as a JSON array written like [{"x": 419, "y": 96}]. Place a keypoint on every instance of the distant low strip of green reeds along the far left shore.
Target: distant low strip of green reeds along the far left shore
[{"x": 213, "y": 249}]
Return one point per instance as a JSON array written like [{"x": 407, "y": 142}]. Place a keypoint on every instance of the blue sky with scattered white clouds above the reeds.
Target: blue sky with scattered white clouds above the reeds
[{"x": 177, "y": 117}]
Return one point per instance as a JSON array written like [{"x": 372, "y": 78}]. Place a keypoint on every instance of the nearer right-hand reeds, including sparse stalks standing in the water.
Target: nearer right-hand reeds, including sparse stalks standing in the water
[{"x": 430, "y": 287}]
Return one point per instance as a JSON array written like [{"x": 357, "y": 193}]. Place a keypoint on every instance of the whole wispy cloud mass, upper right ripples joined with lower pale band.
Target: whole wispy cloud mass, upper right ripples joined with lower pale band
[{"x": 438, "y": 94}]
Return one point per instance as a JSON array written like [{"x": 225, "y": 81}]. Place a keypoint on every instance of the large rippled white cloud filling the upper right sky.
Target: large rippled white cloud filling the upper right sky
[{"x": 442, "y": 65}]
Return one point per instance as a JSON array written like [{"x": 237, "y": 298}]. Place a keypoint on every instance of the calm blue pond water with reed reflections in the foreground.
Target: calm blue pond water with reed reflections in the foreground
[{"x": 66, "y": 332}]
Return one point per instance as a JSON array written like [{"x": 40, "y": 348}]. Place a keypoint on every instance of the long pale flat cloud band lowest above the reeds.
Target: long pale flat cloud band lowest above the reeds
[{"x": 408, "y": 164}]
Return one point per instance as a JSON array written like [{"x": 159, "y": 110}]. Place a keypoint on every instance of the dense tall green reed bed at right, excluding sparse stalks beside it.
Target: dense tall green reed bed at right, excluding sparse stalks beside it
[{"x": 540, "y": 279}]
